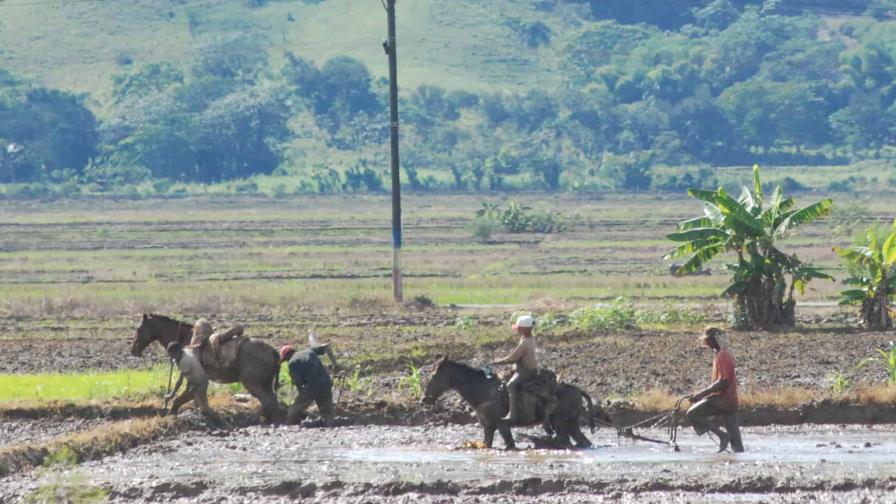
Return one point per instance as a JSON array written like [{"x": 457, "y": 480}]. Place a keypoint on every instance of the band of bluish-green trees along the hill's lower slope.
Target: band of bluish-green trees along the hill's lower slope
[{"x": 723, "y": 82}]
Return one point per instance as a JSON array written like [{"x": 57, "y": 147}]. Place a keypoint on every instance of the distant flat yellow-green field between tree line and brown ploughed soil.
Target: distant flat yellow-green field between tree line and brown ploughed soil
[{"x": 236, "y": 254}]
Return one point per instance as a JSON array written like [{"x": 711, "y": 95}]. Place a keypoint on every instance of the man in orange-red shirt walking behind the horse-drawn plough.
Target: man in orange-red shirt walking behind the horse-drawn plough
[{"x": 720, "y": 397}]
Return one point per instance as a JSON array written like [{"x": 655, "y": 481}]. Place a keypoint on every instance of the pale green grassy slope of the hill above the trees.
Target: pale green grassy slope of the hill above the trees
[{"x": 463, "y": 44}]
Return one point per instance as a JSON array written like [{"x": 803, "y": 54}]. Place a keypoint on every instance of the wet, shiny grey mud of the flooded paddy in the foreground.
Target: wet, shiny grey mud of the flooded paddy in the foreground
[{"x": 425, "y": 464}]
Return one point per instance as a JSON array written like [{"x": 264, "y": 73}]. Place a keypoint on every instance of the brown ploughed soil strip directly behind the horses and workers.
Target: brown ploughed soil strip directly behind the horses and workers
[{"x": 614, "y": 364}]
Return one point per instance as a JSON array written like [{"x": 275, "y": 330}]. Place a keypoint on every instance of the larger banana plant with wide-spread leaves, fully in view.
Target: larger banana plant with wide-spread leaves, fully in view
[{"x": 764, "y": 278}]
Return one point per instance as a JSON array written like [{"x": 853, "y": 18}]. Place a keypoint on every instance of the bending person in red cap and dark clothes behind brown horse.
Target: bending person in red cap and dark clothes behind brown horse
[{"x": 312, "y": 380}]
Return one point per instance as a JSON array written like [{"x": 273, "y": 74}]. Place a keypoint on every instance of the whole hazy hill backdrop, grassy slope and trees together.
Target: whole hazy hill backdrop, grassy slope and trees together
[{"x": 100, "y": 95}]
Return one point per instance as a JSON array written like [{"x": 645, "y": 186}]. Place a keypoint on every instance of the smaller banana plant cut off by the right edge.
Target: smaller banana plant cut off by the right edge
[{"x": 873, "y": 277}]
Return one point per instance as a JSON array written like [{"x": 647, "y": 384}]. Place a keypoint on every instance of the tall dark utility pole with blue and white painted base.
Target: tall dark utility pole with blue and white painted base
[{"x": 391, "y": 49}]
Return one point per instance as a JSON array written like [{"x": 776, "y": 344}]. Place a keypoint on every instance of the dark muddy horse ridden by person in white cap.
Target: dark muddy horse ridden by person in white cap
[{"x": 485, "y": 393}]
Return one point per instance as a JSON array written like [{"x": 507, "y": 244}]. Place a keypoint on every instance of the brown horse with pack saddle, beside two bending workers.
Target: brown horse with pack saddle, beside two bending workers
[{"x": 257, "y": 365}]
